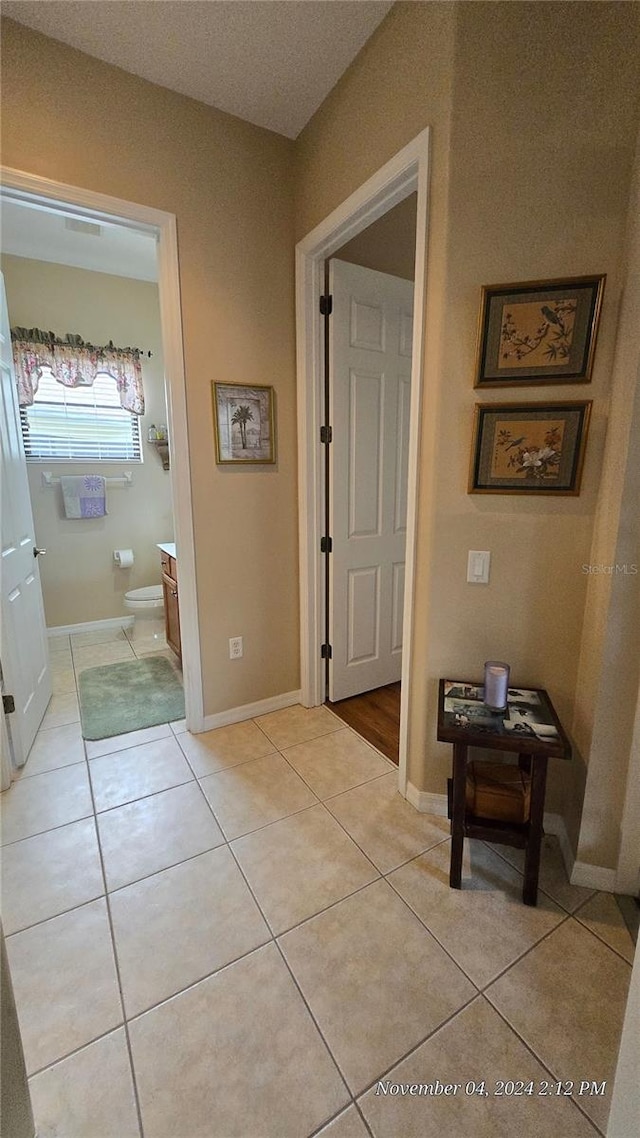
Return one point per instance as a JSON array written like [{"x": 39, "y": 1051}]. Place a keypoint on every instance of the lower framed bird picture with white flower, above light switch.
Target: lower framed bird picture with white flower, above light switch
[{"x": 529, "y": 448}]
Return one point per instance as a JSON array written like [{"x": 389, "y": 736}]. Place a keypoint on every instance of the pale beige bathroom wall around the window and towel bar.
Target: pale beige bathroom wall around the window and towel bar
[{"x": 80, "y": 581}]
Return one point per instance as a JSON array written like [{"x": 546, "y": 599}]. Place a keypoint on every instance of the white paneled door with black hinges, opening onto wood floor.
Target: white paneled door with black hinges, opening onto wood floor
[{"x": 371, "y": 334}]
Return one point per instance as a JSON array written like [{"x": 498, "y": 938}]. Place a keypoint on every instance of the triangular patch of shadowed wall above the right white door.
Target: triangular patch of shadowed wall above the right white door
[{"x": 389, "y": 245}]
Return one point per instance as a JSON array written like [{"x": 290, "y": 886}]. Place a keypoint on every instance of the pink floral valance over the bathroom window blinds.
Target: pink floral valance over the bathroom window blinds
[{"x": 76, "y": 364}]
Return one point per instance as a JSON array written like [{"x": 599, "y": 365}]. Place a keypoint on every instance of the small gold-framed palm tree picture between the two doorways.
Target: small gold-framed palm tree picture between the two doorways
[{"x": 245, "y": 424}]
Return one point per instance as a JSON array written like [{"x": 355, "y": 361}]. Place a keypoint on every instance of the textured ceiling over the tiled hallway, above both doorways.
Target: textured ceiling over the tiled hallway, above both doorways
[{"x": 269, "y": 62}]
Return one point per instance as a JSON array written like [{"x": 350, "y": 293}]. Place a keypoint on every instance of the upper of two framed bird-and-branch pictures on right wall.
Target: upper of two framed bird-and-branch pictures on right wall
[{"x": 539, "y": 333}]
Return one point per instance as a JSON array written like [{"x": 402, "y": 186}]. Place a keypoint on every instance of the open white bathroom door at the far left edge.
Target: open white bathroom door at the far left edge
[{"x": 23, "y": 632}]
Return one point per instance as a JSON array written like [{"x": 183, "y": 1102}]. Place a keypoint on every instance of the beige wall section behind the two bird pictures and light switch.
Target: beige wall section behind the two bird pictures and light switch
[{"x": 510, "y": 221}]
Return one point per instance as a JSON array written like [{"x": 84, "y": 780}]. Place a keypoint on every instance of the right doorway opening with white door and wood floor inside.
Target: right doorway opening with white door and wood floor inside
[{"x": 371, "y": 282}]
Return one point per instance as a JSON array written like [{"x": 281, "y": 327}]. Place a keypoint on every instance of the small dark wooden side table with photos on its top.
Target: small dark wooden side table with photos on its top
[{"x": 529, "y": 728}]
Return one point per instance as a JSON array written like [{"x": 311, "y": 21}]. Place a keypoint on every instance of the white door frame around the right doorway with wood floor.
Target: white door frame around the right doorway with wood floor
[{"x": 406, "y": 174}]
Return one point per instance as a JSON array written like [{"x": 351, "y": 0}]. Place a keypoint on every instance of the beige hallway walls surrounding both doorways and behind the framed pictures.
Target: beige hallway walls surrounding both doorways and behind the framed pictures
[{"x": 534, "y": 111}]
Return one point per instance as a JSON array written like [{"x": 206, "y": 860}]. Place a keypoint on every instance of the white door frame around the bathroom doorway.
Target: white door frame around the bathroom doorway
[{"x": 20, "y": 186}]
